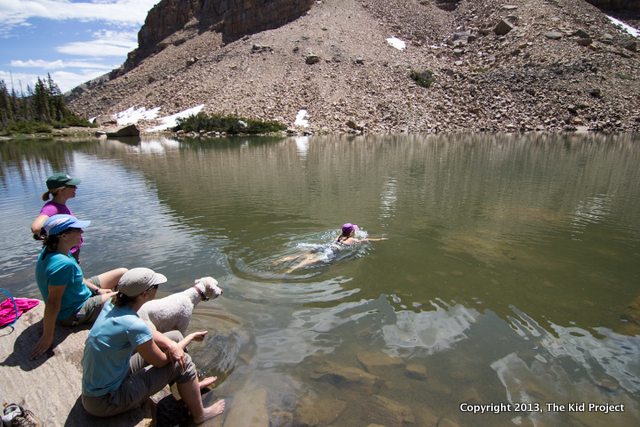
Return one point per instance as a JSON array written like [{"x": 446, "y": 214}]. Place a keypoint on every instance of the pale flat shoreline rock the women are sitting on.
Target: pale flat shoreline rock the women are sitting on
[{"x": 51, "y": 386}]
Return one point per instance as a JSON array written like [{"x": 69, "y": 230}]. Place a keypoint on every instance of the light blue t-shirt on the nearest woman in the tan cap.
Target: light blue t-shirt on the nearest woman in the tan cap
[{"x": 108, "y": 349}]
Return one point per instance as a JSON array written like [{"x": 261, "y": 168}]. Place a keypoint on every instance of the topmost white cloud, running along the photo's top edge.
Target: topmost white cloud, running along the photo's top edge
[{"x": 127, "y": 12}]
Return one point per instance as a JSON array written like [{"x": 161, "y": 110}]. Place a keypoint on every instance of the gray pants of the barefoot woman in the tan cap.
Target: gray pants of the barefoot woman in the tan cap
[{"x": 142, "y": 382}]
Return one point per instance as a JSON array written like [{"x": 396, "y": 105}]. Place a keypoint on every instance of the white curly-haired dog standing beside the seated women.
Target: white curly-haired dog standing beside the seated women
[{"x": 174, "y": 312}]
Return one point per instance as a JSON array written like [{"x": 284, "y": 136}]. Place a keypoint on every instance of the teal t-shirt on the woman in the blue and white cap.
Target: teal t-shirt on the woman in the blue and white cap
[{"x": 58, "y": 269}]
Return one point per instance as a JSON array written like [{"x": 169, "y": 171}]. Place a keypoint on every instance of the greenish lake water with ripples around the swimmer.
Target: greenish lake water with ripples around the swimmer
[{"x": 506, "y": 278}]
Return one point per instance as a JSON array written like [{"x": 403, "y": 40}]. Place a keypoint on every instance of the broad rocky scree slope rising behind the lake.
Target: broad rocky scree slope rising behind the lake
[{"x": 556, "y": 65}]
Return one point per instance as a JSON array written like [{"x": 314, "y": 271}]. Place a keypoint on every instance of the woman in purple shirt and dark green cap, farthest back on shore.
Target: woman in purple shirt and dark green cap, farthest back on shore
[{"x": 62, "y": 187}]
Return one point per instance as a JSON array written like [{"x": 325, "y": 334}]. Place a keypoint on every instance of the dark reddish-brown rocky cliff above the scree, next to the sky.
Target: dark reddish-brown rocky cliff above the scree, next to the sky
[{"x": 233, "y": 19}]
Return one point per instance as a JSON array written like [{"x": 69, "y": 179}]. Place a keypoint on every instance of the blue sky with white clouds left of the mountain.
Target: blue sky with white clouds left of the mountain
[{"x": 73, "y": 40}]
